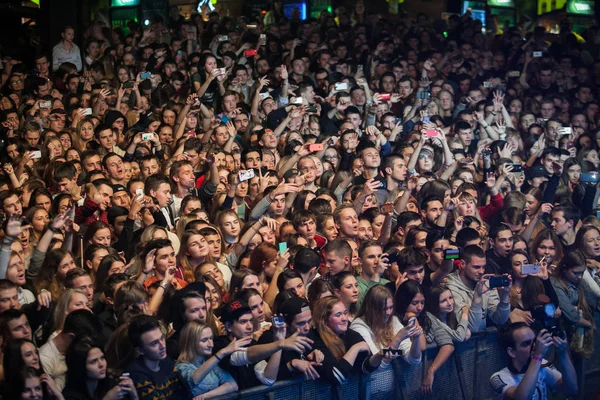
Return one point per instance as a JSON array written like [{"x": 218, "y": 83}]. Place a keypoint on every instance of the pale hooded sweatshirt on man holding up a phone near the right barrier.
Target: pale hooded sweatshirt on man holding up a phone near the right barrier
[{"x": 490, "y": 306}]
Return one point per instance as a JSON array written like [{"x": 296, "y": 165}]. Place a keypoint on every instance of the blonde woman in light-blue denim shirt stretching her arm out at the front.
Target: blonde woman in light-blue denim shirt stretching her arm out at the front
[{"x": 199, "y": 368}]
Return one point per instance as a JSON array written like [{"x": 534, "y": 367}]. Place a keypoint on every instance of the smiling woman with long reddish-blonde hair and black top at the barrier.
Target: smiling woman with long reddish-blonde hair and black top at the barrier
[{"x": 344, "y": 349}]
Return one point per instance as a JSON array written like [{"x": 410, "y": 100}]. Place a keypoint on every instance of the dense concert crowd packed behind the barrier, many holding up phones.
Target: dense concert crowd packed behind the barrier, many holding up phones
[{"x": 202, "y": 206}]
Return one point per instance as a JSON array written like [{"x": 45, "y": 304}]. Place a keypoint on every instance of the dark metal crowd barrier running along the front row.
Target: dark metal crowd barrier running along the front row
[{"x": 465, "y": 376}]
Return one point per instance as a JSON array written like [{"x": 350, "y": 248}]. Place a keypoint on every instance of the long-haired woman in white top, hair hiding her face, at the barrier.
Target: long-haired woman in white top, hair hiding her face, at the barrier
[{"x": 381, "y": 329}]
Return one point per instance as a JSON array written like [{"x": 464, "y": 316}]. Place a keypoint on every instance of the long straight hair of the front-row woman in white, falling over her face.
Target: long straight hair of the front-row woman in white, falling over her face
[{"x": 372, "y": 311}]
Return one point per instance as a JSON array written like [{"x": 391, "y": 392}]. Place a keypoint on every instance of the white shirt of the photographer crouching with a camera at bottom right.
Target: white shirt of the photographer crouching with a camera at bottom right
[{"x": 502, "y": 380}]
